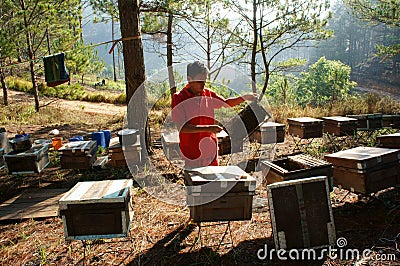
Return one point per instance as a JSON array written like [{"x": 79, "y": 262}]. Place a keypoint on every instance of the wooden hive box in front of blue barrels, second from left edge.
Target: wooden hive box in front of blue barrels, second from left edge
[{"x": 78, "y": 155}]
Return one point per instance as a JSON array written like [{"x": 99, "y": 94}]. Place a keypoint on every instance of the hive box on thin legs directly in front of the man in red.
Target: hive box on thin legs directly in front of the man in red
[{"x": 219, "y": 193}]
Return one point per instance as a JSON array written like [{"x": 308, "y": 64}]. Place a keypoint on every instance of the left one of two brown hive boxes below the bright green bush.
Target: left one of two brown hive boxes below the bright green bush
[{"x": 305, "y": 127}]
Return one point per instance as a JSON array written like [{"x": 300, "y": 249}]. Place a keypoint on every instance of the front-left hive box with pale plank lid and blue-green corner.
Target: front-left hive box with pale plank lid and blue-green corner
[{"x": 97, "y": 209}]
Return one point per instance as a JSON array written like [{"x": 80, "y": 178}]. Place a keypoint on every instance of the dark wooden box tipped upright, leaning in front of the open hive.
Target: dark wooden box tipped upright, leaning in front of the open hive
[{"x": 301, "y": 214}]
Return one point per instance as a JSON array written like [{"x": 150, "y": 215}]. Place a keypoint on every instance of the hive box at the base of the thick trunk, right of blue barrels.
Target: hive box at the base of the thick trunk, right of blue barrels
[{"x": 123, "y": 155}]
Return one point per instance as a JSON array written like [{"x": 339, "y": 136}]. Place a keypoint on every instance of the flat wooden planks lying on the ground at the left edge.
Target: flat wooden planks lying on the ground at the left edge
[{"x": 38, "y": 203}]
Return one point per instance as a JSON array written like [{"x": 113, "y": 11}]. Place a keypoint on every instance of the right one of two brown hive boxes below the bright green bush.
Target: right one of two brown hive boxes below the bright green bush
[{"x": 340, "y": 125}]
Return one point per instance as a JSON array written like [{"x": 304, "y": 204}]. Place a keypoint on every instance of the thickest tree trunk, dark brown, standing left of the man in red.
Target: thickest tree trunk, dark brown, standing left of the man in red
[{"x": 136, "y": 97}]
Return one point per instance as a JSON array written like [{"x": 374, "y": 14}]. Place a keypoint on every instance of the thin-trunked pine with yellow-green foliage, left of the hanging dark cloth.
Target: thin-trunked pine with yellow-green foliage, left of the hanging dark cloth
[{"x": 40, "y": 26}]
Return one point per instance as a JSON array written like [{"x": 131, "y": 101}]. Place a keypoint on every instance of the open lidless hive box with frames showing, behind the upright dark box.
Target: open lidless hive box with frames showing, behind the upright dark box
[{"x": 296, "y": 167}]
